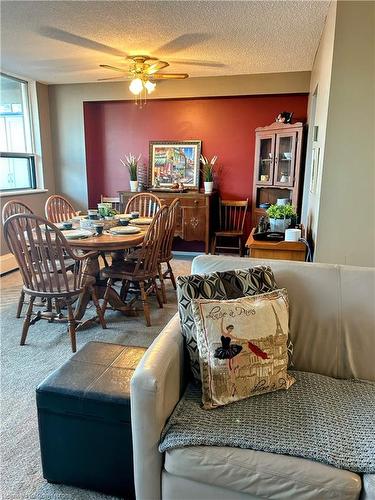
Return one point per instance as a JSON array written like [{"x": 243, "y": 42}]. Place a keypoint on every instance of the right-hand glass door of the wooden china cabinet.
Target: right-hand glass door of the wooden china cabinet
[{"x": 285, "y": 159}]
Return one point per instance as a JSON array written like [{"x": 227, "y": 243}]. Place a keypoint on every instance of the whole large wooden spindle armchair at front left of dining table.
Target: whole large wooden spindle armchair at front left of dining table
[{"x": 40, "y": 249}]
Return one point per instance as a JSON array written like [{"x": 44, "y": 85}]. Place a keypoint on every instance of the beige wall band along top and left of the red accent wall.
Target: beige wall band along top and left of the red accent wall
[{"x": 66, "y": 104}]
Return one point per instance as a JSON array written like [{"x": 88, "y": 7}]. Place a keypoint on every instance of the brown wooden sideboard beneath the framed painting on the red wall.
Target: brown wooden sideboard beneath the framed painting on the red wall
[{"x": 194, "y": 219}]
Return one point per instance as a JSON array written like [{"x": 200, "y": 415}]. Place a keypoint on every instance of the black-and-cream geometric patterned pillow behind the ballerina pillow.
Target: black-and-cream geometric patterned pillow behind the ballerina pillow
[{"x": 217, "y": 285}]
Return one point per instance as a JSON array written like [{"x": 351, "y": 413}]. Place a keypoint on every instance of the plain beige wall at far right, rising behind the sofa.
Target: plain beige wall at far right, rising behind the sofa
[{"x": 346, "y": 220}]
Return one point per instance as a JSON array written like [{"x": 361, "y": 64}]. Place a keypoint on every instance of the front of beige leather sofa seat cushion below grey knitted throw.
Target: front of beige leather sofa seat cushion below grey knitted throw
[{"x": 264, "y": 475}]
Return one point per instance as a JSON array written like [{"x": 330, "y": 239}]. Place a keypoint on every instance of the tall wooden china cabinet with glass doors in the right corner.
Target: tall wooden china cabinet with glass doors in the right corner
[{"x": 277, "y": 166}]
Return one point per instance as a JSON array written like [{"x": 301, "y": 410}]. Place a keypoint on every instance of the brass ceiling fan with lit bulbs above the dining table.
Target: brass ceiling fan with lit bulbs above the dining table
[{"x": 142, "y": 72}]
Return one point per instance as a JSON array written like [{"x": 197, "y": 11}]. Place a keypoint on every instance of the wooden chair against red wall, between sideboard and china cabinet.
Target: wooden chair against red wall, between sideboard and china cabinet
[{"x": 231, "y": 223}]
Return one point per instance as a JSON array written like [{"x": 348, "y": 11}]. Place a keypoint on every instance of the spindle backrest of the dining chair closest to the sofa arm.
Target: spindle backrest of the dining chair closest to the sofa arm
[{"x": 149, "y": 254}]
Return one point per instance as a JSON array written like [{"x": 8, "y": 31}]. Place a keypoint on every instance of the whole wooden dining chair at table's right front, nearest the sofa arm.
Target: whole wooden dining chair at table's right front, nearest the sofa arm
[{"x": 141, "y": 267}]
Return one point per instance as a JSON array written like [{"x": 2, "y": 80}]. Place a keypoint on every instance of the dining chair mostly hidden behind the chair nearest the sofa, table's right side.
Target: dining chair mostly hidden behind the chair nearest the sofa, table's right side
[{"x": 165, "y": 255}]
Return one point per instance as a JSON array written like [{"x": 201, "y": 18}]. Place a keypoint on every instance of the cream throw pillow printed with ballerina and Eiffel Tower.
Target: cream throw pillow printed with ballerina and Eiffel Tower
[{"x": 242, "y": 346}]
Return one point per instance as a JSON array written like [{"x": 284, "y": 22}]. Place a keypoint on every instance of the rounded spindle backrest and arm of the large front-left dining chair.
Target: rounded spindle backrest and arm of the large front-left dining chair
[{"x": 39, "y": 248}]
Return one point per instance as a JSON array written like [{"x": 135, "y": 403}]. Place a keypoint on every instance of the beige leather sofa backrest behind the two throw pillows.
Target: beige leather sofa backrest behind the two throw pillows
[{"x": 332, "y": 313}]
